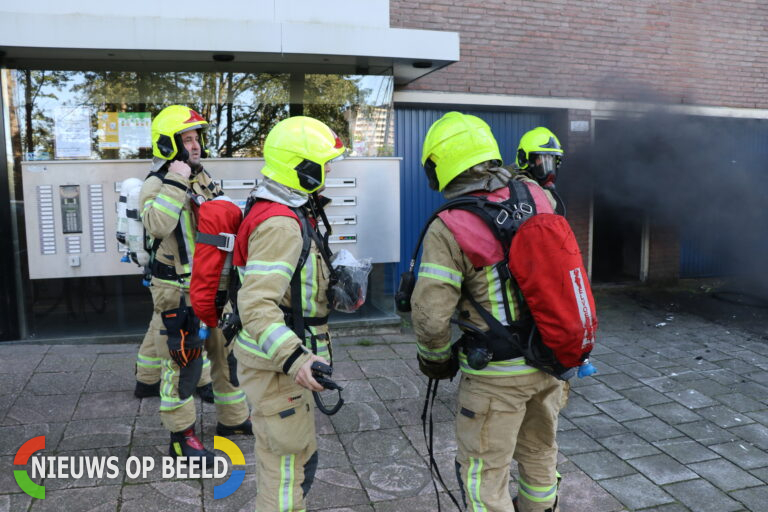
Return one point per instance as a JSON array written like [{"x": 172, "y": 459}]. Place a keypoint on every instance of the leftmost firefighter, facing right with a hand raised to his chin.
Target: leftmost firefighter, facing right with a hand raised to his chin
[{"x": 168, "y": 200}]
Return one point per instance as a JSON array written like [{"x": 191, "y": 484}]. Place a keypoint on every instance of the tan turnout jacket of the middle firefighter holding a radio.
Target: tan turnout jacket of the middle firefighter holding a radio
[{"x": 266, "y": 342}]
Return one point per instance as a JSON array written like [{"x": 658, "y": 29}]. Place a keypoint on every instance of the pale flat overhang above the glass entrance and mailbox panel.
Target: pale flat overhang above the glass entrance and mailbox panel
[{"x": 75, "y": 41}]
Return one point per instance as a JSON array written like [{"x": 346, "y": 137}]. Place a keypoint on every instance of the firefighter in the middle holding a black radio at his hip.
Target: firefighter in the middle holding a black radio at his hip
[{"x": 283, "y": 306}]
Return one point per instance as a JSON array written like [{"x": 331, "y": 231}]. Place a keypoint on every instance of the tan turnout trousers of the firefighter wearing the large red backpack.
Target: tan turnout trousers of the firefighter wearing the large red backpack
[{"x": 501, "y": 418}]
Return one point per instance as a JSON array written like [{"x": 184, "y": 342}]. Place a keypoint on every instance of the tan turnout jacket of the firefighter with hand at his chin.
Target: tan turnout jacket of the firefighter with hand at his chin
[{"x": 166, "y": 206}]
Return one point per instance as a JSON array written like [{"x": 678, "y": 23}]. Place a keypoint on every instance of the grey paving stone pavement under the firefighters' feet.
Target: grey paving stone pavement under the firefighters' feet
[{"x": 676, "y": 420}]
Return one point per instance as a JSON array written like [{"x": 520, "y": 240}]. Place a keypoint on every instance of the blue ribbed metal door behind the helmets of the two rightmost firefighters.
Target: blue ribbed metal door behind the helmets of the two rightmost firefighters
[{"x": 416, "y": 198}]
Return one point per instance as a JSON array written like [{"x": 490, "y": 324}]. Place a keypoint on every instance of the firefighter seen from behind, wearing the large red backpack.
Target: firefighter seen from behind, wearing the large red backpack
[{"x": 506, "y": 409}]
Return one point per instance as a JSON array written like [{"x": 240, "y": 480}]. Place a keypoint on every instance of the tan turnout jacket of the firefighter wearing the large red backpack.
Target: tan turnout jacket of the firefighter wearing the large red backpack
[{"x": 446, "y": 277}]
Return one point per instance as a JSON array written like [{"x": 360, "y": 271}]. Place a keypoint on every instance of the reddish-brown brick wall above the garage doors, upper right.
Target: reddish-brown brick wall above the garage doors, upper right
[{"x": 702, "y": 52}]
